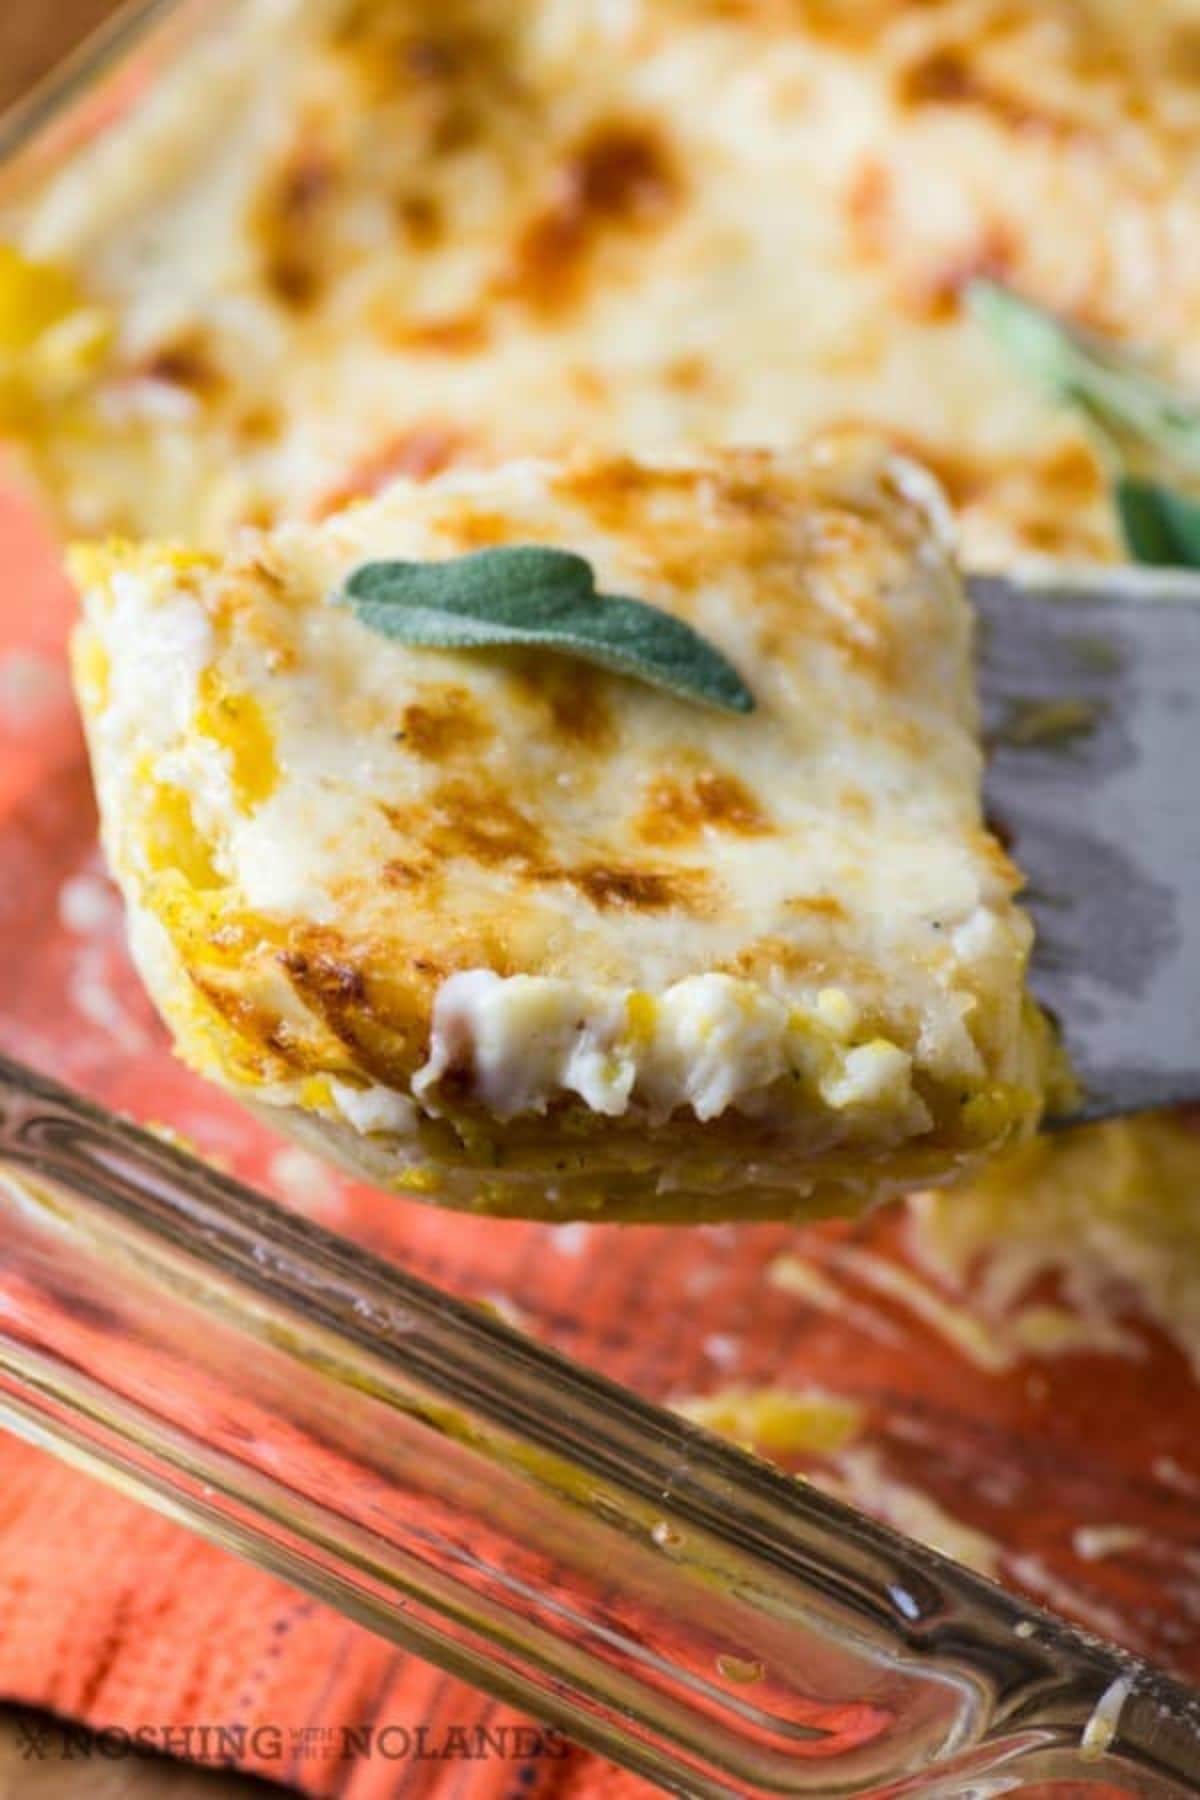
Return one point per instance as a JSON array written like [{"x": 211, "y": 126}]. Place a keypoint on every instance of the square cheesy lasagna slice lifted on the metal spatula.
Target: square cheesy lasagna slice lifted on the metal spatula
[{"x": 528, "y": 937}]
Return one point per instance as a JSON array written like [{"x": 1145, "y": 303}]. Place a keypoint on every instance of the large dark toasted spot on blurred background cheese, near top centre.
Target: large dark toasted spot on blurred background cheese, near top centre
[{"x": 618, "y": 179}]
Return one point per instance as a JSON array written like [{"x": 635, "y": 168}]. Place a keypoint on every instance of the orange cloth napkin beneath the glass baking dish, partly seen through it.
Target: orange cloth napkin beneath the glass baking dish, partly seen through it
[{"x": 129, "y": 1623}]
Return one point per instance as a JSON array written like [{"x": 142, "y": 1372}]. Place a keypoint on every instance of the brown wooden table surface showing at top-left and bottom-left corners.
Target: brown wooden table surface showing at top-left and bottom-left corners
[{"x": 37, "y": 1759}]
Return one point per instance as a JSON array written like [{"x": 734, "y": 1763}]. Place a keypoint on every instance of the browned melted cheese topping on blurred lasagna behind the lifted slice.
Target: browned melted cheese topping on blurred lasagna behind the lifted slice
[{"x": 357, "y": 238}]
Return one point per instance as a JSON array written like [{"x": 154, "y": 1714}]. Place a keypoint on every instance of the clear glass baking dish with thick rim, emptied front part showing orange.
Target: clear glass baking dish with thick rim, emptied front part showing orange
[{"x": 285, "y": 1380}]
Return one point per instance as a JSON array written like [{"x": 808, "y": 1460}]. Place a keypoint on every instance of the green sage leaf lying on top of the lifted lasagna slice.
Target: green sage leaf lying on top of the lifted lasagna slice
[{"x": 541, "y": 597}]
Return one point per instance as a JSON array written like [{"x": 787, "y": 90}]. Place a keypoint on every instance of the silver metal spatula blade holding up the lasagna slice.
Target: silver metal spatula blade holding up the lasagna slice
[{"x": 1091, "y": 690}]
